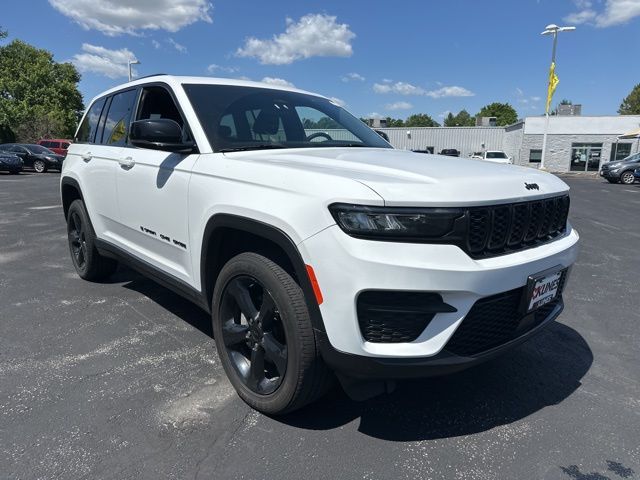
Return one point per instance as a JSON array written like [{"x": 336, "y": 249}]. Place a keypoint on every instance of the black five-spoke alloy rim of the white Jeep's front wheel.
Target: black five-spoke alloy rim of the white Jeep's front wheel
[{"x": 253, "y": 334}]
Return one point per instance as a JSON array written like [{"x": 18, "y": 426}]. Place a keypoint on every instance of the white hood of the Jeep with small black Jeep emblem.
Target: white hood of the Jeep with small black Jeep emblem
[{"x": 402, "y": 177}]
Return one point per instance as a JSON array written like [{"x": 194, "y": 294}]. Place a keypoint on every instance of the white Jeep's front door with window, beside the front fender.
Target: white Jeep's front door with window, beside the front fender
[{"x": 152, "y": 193}]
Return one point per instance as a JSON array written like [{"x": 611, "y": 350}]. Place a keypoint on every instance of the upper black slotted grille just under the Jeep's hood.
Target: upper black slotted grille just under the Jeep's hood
[{"x": 508, "y": 228}]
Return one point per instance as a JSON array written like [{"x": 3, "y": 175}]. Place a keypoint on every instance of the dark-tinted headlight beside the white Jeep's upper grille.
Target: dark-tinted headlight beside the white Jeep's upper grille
[{"x": 395, "y": 223}]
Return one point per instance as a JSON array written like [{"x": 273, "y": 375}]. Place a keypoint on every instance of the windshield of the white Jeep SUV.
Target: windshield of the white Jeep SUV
[{"x": 243, "y": 118}]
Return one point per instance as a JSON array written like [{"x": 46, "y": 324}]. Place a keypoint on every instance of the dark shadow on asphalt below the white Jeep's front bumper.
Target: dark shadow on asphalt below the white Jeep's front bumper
[{"x": 543, "y": 372}]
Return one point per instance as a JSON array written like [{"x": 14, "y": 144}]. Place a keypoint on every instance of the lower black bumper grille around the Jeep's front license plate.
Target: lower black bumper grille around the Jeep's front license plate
[{"x": 495, "y": 320}]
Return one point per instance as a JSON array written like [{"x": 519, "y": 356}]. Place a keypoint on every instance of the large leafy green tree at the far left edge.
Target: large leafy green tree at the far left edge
[{"x": 38, "y": 96}]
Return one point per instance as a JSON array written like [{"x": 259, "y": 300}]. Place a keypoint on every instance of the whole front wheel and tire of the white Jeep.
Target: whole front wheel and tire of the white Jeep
[{"x": 291, "y": 373}]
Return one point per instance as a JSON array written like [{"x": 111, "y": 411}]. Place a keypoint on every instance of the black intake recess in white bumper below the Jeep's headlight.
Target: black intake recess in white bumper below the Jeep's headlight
[{"x": 396, "y": 317}]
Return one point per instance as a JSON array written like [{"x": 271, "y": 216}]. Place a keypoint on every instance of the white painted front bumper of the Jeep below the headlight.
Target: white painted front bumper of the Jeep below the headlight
[{"x": 346, "y": 266}]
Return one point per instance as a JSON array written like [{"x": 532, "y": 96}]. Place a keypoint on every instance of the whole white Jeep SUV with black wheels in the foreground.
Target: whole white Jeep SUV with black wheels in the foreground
[{"x": 317, "y": 248}]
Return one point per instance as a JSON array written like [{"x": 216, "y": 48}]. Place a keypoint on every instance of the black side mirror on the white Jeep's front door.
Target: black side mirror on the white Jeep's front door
[{"x": 159, "y": 134}]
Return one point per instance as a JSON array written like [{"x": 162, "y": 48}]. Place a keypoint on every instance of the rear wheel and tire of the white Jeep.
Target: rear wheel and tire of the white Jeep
[{"x": 89, "y": 264}]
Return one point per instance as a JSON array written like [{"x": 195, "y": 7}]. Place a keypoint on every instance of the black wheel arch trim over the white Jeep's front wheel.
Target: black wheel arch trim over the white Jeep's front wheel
[{"x": 227, "y": 235}]
